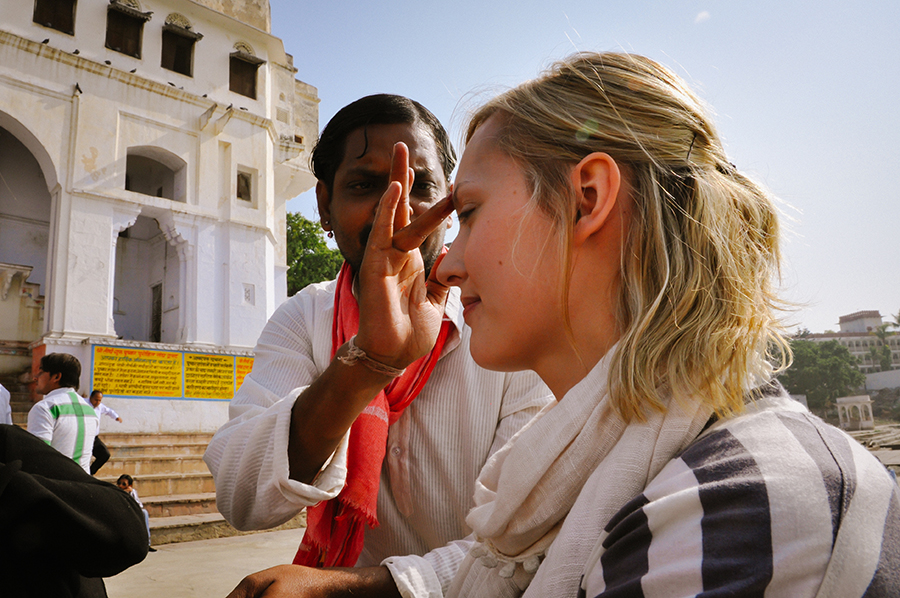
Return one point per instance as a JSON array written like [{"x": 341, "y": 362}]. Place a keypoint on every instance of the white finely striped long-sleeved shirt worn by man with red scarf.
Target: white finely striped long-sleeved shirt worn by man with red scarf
[{"x": 435, "y": 451}]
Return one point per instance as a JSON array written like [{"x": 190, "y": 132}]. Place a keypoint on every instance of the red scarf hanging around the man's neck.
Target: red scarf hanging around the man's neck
[{"x": 335, "y": 529}]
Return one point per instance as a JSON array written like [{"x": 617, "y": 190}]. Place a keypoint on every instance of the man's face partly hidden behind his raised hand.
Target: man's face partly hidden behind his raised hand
[{"x": 363, "y": 177}]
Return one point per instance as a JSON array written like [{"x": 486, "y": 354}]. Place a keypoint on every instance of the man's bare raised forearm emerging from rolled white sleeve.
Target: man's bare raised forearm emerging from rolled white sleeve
[{"x": 324, "y": 412}]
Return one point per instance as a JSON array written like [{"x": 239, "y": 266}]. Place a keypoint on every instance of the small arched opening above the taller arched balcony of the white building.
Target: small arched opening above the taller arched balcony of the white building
[{"x": 156, "y": 172}]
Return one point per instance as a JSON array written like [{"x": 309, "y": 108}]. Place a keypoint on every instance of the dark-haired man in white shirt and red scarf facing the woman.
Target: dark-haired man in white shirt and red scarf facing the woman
[{"x": 388, "y": 460}]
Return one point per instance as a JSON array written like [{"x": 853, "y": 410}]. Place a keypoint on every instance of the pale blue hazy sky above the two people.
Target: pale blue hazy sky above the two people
[{"x": 805, "y": 94}]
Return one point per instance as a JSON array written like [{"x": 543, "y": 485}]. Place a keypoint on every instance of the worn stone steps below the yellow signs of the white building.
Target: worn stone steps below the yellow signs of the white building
[{"x": 169, "y": 475}]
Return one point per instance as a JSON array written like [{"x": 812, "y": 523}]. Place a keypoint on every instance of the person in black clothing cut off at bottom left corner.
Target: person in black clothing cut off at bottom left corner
[{"x": 61, "y": 530}]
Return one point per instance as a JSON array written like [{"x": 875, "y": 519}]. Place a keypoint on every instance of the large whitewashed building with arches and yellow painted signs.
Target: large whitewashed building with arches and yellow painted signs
[{"x": 147, "y": 149}]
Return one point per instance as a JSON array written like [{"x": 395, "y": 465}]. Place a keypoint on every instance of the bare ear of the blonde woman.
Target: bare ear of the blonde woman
[{"x": 596, "y": 180}]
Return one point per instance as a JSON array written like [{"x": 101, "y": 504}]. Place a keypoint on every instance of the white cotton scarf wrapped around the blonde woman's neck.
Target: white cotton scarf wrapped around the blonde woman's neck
[{"x": 527, "y": 488}]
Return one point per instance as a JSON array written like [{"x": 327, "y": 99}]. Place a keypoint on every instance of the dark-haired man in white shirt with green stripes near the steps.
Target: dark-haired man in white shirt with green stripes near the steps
[{"x": 63, "y": 419}]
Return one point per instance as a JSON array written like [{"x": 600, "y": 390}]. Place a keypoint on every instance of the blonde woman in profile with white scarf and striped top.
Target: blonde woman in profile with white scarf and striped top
[{"x": 607, "y": 243}]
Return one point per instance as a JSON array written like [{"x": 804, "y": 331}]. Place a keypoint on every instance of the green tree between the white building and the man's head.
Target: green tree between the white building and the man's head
[{"x": 309, "y": 258}]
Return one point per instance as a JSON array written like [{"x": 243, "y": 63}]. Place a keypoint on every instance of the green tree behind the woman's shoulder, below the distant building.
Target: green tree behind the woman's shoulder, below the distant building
[{"x": 823, "y": 372}]
